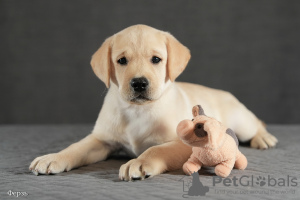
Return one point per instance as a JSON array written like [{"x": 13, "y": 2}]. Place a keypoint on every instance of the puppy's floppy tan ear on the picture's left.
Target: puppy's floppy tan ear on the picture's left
[{"x": 101, "y": 62}]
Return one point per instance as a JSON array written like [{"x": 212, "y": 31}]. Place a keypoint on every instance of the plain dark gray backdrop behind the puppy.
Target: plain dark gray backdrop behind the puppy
[{"x": 250, "y": 48}]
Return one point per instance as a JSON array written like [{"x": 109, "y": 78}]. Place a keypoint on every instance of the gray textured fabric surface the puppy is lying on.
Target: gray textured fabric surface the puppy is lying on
[{"x": 20, "y": 144}]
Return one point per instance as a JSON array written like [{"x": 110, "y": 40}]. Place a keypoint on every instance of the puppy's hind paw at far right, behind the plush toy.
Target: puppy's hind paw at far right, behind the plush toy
[{"x": 263, "y": 141}]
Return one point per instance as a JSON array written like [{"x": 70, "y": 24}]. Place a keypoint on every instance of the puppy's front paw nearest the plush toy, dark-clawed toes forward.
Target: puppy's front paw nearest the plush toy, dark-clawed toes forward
[{"x": 137, "y": 169}]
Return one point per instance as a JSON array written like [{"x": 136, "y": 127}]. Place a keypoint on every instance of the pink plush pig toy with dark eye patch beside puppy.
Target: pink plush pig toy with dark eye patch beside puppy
[{"x": 213, "y": 144}]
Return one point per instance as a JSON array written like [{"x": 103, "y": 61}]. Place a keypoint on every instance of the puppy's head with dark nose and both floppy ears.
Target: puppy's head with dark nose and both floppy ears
[{"x": 140, "y": 61}]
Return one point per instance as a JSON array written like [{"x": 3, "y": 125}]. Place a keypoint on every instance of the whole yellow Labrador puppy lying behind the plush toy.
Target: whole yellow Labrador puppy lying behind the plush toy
[{"x": 144, "y": 105}]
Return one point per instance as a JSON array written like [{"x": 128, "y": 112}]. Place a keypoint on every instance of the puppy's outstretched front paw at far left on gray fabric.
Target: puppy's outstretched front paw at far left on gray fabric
[{"x": 48, "y": 164}]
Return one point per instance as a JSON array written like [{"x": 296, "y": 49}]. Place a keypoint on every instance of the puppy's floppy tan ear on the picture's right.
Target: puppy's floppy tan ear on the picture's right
[{"x": 178, "y": 57}]
